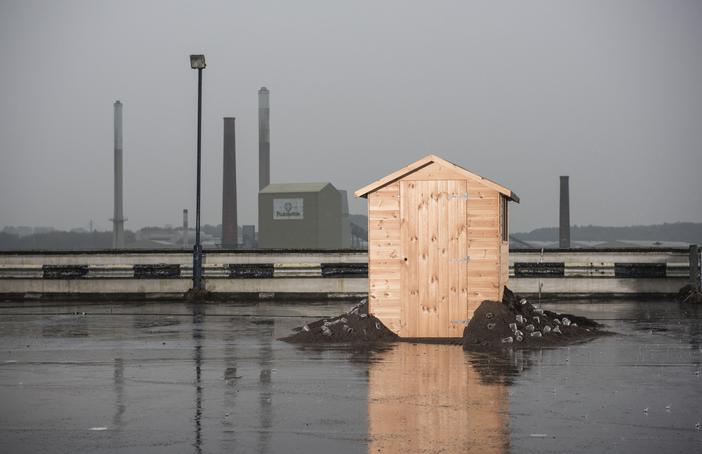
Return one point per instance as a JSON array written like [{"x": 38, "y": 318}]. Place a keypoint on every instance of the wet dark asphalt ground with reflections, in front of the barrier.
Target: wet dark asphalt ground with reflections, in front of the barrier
[{"x": 173, "y": 377}]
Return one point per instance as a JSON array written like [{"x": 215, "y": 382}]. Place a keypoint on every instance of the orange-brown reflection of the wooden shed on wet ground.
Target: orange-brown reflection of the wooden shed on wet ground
[{"x": 429, "y": 398}]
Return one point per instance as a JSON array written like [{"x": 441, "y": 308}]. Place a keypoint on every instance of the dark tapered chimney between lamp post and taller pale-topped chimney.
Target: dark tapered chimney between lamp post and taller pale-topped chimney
[{"x": 229, "y": 221}]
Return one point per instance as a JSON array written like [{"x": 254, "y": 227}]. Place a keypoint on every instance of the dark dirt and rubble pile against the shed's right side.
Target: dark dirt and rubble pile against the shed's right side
[{"x": 516, "y": 323}]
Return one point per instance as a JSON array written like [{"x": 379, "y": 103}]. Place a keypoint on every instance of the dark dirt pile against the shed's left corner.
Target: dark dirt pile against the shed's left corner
[{"x": 351, "y": 327}]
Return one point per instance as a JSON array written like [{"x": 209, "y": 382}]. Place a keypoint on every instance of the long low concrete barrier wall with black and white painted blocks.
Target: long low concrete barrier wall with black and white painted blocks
[{"x": 321, "y": 274}]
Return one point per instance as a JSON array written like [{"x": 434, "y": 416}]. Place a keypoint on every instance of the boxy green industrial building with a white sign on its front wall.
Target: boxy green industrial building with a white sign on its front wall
[{"x": 303, "y": 216}]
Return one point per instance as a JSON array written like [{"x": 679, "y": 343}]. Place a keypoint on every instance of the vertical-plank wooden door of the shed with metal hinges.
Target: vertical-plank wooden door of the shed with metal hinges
[{"x": 433, "y": 277}]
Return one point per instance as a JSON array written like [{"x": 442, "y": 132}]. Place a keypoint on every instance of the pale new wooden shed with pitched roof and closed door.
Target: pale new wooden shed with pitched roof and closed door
[{"x": 438, "y": 245}]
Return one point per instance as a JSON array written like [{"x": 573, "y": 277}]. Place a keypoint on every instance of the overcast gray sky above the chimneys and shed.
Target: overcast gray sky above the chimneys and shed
[{"x": 608, "y": 92}]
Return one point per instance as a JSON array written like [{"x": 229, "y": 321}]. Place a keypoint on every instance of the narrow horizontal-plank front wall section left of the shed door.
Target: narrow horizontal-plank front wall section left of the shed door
[{"x": 384, "y": 255}]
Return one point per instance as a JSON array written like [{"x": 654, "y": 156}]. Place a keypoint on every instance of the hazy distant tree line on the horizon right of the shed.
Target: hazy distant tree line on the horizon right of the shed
[{"x": 689, "y": 232}]
